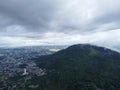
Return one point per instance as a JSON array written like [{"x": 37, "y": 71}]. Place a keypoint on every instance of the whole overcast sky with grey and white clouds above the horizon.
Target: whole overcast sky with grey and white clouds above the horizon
[{"x": 60, "y": 22}]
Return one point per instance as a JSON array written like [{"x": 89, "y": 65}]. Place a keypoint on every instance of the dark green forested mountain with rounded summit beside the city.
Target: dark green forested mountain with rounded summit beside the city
[{"x": 81, "y": 67}]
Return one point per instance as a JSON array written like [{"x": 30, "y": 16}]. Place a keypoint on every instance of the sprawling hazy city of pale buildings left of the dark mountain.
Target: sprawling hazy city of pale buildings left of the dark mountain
[{"x": 14, "y": 61}]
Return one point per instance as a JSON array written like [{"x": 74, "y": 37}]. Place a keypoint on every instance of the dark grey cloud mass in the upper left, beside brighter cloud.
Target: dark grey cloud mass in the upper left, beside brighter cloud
[{"x": 32, "y": 13}]
